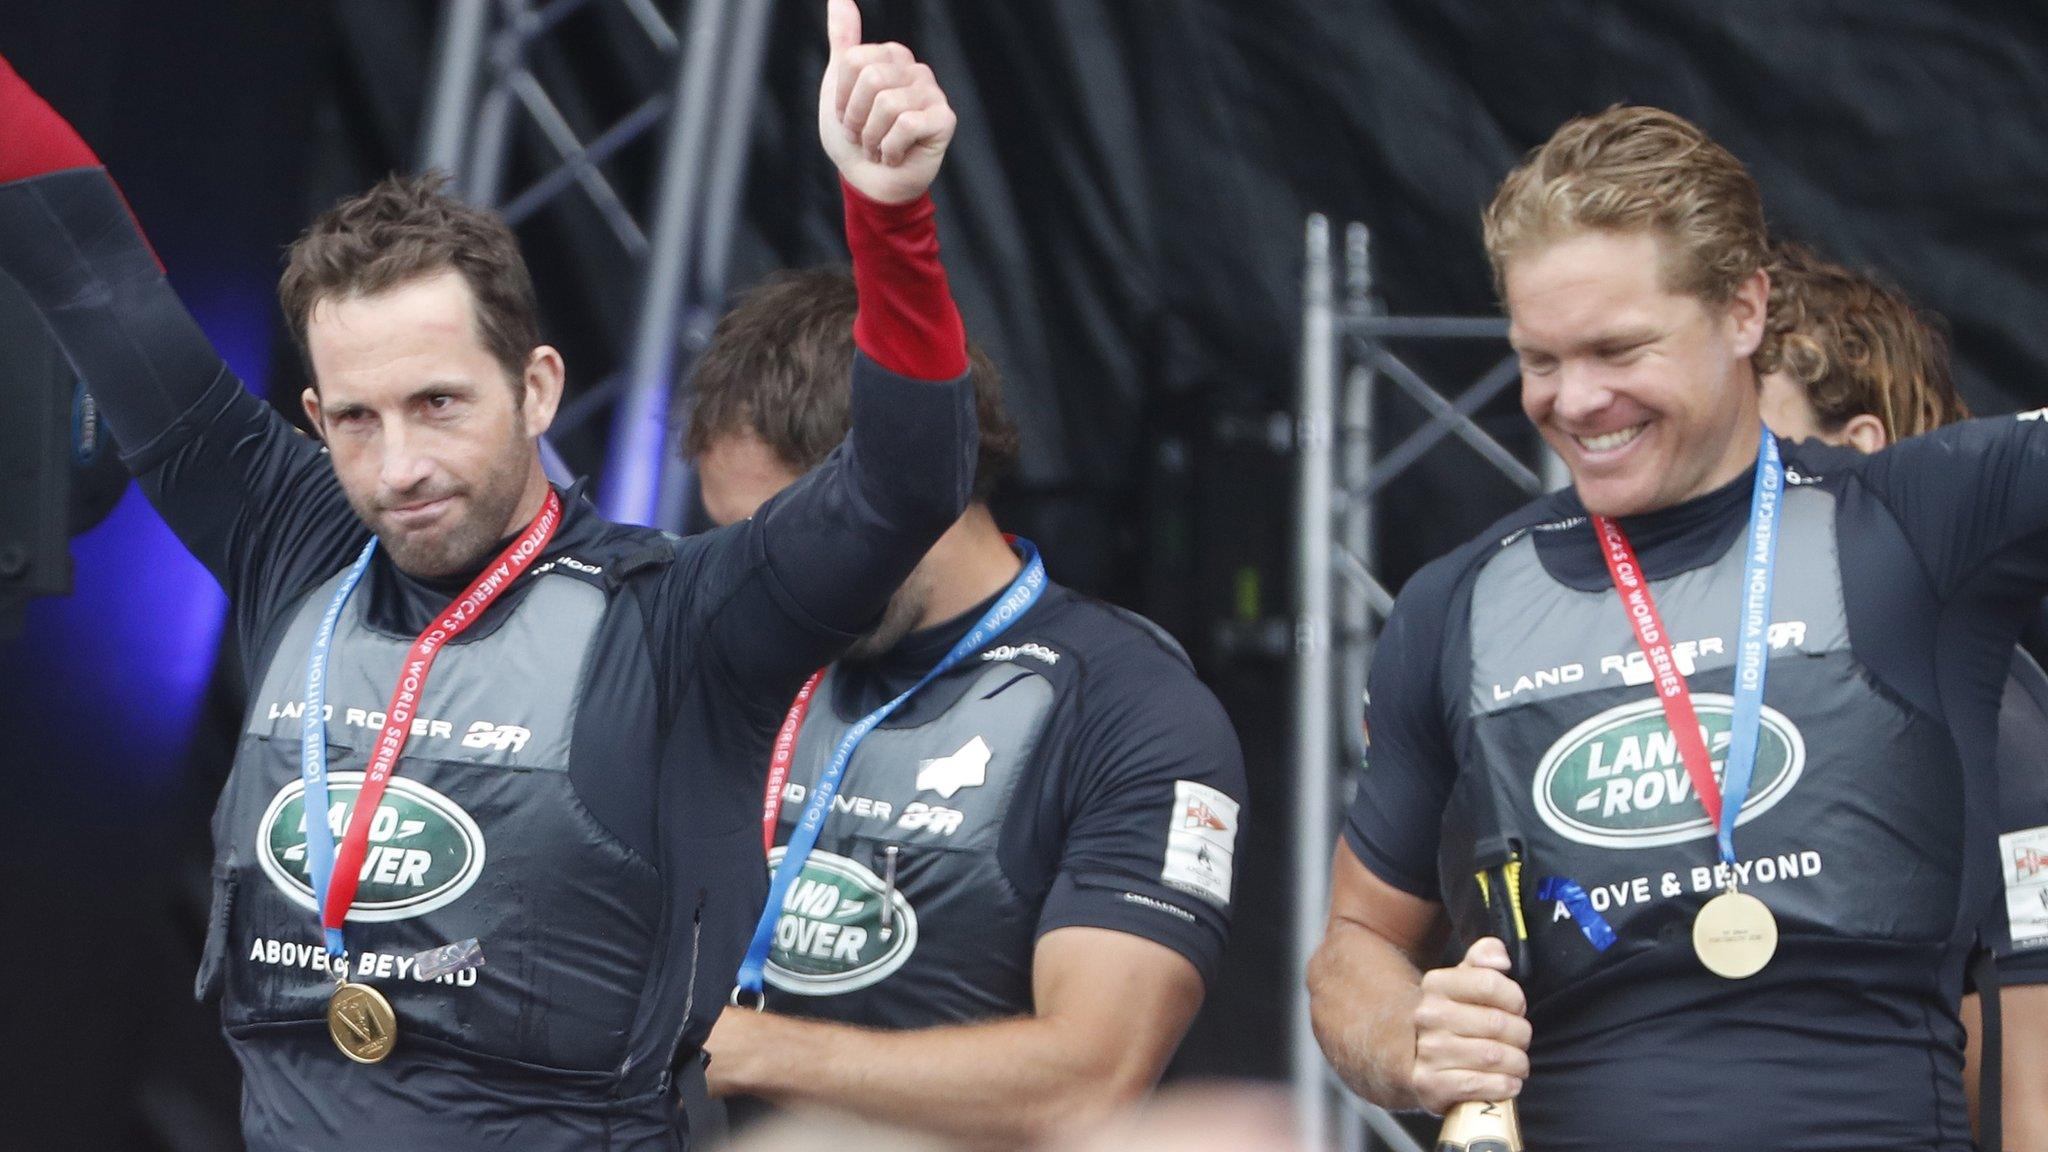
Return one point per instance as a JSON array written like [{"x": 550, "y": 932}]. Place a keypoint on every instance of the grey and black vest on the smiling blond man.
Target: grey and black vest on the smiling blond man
[{"x": 1854, "y": 821}]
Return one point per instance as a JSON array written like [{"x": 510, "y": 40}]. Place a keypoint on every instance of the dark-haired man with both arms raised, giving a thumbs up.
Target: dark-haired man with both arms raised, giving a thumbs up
[{"x": 490, "y": 850}]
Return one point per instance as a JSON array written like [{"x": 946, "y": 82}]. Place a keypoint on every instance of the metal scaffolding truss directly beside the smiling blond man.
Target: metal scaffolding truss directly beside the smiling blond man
[{"x": 1340, "y": 598}]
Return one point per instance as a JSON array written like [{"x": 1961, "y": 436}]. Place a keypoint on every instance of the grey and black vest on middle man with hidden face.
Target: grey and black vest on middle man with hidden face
[{"x": 904, "y": 915}]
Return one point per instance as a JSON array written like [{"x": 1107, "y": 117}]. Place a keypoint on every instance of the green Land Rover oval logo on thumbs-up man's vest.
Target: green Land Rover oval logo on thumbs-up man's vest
[{"x": 425, "y": 852}]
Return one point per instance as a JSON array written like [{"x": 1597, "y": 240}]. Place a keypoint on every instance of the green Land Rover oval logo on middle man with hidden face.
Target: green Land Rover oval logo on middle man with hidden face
[{"x": 830, "y": 934}]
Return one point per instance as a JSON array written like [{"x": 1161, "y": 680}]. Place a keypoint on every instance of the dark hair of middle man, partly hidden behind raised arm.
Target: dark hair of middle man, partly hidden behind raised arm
[{"x": 781, "y": 366}]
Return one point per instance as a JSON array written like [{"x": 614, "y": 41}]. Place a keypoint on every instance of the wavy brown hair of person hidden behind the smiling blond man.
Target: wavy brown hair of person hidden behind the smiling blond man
[{"x": 1857, "y": 345}]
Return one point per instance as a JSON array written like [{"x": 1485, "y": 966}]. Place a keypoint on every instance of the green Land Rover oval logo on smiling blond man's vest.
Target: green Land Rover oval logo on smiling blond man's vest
[{"x": 1619, "y": 780}]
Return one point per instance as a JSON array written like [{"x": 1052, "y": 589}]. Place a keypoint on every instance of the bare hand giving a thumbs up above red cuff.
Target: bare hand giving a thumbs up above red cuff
[{"x": 880, "y": 114}]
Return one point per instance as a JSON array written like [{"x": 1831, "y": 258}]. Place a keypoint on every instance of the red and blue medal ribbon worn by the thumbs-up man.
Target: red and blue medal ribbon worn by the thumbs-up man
[{"x": 337, "y": 874}]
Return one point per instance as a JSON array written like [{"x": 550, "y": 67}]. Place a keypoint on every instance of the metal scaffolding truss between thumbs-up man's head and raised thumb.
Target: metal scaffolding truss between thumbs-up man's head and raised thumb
[{"x": 677, "y": 251}]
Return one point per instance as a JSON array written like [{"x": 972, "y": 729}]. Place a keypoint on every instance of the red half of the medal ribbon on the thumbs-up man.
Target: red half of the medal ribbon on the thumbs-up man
[{"x": 456, "y": 620}]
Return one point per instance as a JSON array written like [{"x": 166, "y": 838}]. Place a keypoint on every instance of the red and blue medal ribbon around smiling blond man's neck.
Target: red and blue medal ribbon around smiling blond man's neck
[{"x": 1752, "y": 651}]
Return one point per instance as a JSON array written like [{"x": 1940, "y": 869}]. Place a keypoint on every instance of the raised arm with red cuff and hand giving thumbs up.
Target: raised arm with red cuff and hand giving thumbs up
[{"x": 849, "y": 534}]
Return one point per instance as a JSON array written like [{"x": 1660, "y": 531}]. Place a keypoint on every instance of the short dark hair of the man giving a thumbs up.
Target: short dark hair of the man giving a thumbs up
[{"x": 407, "y": 229}]
